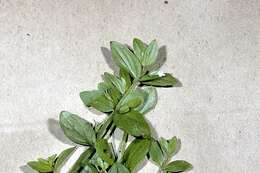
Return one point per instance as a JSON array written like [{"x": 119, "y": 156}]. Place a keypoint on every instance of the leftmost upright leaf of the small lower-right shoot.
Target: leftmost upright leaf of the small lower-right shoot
[{"x": 156, "y": 153}]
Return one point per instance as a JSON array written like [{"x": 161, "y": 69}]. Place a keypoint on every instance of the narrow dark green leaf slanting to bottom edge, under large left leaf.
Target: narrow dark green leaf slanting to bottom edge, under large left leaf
[{"x": 83, "y": 159}]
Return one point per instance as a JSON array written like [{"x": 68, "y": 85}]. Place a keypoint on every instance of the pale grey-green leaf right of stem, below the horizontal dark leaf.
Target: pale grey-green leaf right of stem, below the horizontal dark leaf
[{"x": 149, "y": 101}]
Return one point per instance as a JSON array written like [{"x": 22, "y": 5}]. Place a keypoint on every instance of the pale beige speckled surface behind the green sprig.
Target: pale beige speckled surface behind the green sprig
[{"x": 50, "y": 50}]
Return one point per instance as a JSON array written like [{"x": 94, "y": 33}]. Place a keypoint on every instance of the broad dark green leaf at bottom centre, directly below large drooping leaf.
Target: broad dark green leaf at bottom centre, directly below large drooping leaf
[{"x": 135, "y": 153}]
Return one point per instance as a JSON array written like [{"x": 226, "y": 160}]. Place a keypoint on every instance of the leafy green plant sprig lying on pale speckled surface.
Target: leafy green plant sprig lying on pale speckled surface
[{"x": 125, "y": 98}]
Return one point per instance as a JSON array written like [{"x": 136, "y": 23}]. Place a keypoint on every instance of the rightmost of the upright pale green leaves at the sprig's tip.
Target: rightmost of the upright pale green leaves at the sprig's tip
[{"x": 150, "y": 54}]
